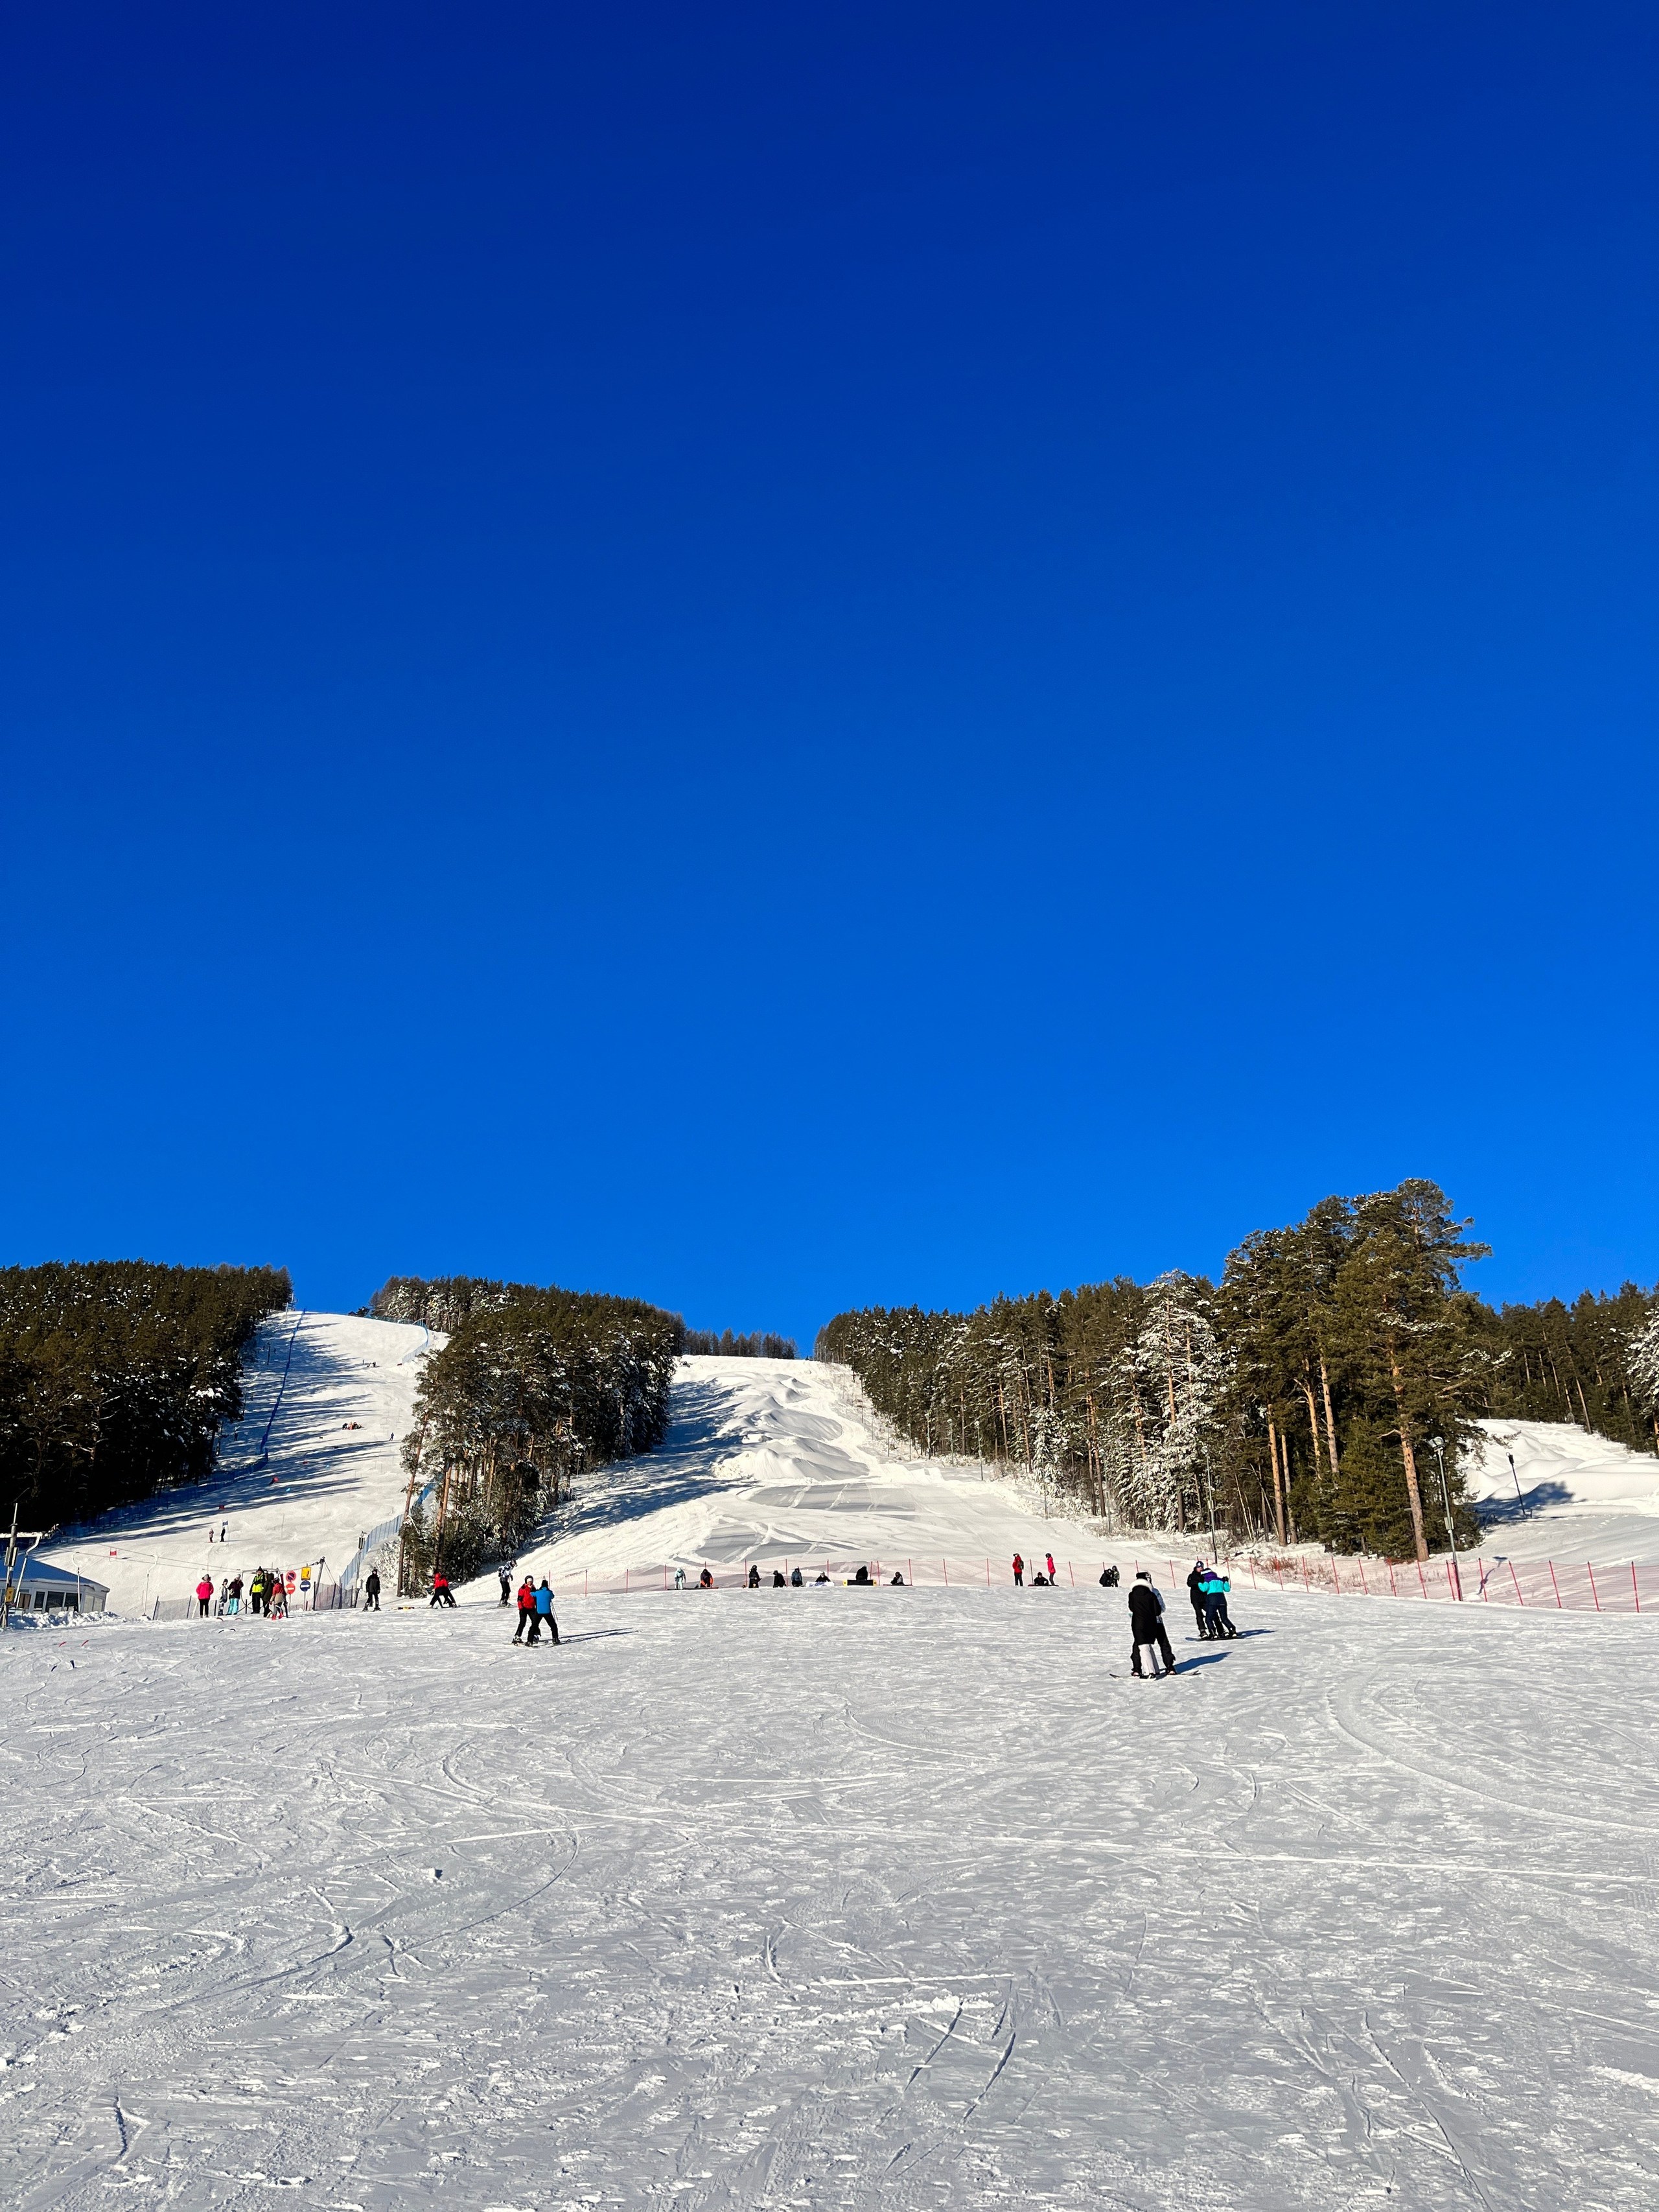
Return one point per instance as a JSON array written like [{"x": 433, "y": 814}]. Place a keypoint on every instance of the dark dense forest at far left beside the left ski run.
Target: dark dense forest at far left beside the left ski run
[{"x": 116, "y": 1377}]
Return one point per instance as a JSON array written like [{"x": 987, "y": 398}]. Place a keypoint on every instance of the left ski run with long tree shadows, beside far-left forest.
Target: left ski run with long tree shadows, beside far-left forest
[{"x": 309, "y": 1470}]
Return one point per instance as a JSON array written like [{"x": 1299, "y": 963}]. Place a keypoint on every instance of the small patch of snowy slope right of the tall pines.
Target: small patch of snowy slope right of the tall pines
[{"x": 1580, "y": 1496}]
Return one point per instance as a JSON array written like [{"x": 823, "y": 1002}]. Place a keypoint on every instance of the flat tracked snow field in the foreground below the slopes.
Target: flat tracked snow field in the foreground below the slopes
[{"x": 833, "y": 1899}]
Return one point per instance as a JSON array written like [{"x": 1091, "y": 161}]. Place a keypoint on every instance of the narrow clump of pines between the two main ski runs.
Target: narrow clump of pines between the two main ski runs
[{"x": 532, "y": 1388}]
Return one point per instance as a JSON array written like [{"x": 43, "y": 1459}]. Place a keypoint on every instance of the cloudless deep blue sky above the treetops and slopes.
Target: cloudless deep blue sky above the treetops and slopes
[{"x": 784, "y": 658}]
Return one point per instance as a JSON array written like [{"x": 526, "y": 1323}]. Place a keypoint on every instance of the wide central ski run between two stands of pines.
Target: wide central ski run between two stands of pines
[{"x": 782, "y": 1463}]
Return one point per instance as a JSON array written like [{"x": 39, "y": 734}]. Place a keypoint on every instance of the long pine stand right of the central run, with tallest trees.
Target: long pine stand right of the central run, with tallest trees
[{"x": 1326, "y": 1388}]
